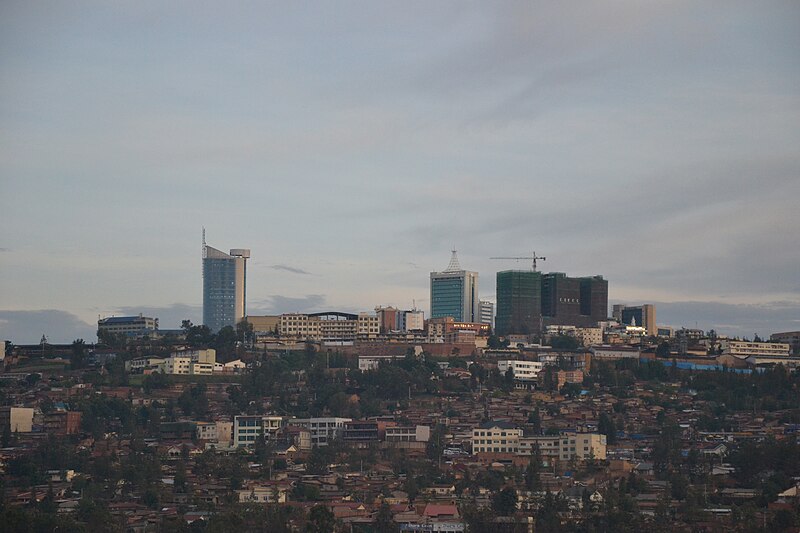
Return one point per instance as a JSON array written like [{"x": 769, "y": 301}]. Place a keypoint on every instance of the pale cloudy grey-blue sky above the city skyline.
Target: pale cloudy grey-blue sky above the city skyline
[{"x": 352, "y": 145}]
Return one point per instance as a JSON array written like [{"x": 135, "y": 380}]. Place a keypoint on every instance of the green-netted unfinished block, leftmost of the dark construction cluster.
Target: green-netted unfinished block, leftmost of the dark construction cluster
[{"x": 519, "y": 302}]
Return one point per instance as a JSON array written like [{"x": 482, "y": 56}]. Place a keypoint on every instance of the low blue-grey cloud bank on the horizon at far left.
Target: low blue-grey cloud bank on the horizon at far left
[{"x": 27, "y": 327}]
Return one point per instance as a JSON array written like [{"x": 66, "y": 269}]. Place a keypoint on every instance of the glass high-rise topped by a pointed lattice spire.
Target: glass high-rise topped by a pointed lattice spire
[{"x": 454, "y": 292}]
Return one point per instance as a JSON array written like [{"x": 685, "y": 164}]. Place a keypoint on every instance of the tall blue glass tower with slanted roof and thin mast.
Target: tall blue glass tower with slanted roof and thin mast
[{"x": 224, "y": 286}]
